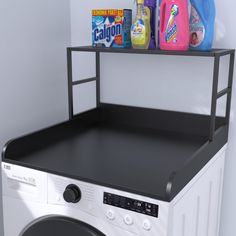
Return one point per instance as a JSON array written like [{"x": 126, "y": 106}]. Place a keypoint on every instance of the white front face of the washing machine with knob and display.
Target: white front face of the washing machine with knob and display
[{"x": 37, "y": 203}]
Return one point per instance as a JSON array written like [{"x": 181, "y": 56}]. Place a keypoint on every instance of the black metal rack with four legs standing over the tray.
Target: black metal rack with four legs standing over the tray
[{"x": 215, "y": 53}]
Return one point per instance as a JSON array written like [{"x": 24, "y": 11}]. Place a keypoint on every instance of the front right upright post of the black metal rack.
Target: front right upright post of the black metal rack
[{"x": 214, "y": 96}]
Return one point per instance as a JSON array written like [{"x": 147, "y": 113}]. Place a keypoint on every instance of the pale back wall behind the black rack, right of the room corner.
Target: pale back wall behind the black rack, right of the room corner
[{"x": 174, "y": 83}]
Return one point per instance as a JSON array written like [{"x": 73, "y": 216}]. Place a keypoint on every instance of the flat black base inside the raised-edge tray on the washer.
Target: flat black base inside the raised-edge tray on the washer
[{"x": 134, "y": 160}]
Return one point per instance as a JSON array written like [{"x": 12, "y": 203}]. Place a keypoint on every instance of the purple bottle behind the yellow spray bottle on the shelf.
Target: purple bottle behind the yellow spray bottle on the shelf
[{"x": 152, "y": 4}]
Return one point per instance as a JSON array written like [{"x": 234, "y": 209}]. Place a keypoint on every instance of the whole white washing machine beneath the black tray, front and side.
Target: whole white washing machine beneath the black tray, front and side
[{"x": 37, "y": 203}]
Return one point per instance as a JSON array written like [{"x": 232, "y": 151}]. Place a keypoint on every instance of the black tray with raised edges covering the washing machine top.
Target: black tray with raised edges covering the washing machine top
[{"x": 148, "y": 152}]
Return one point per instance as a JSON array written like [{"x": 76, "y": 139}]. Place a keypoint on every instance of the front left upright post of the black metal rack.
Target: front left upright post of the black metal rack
[{"x": 70, "y": 81}]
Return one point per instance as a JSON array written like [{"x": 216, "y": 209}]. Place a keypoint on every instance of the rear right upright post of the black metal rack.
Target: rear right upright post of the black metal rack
[{"x": 230, "y": 86}]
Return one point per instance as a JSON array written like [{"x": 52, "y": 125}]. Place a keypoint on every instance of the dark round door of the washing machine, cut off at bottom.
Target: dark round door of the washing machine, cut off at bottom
[{"x": 60, "y": 226}]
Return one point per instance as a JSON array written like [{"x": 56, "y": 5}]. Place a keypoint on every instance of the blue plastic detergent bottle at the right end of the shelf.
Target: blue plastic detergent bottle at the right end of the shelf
[{"x": 202, "y": 24}]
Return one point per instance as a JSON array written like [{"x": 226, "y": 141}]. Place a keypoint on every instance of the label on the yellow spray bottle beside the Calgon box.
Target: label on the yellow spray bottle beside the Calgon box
[{"x": 138, "y": 32}]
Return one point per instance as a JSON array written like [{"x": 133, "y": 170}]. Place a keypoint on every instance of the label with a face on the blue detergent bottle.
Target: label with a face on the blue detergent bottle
[{"x": 197, "y": 29}]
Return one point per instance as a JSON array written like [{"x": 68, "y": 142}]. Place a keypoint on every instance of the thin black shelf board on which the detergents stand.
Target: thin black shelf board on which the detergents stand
[{"x": 211, "y": 53}]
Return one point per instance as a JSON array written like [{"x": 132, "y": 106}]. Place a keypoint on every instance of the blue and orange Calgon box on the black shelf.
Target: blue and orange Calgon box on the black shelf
[{"x": 111, "y": 28}]
